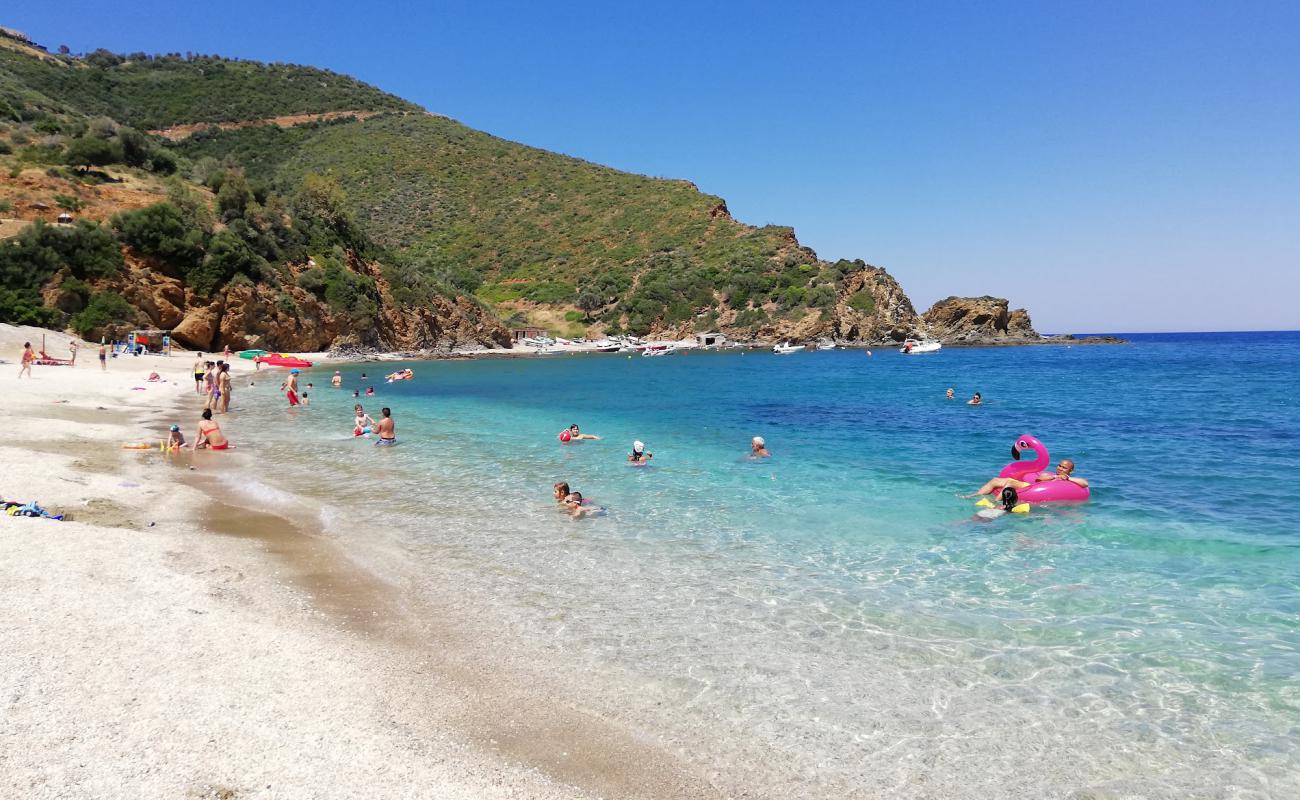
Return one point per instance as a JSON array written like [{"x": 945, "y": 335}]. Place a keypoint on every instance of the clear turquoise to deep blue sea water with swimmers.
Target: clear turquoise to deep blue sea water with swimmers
[{"x": 835, "y": 616}]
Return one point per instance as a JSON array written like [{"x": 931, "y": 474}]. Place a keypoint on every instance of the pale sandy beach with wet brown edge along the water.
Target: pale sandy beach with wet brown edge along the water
[{"x": 166, "y": 645}]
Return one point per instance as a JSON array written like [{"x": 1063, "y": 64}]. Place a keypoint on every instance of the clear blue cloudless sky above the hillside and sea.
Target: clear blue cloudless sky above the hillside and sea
[{"x": 1108, "y": 166}]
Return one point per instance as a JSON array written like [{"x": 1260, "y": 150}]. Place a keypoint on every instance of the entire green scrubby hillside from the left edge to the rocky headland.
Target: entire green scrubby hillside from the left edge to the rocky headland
[{"x": 448, "y": 210}]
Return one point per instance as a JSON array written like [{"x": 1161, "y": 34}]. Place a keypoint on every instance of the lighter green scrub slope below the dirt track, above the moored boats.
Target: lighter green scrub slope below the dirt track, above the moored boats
[{"x": 514, "y": 223}]
